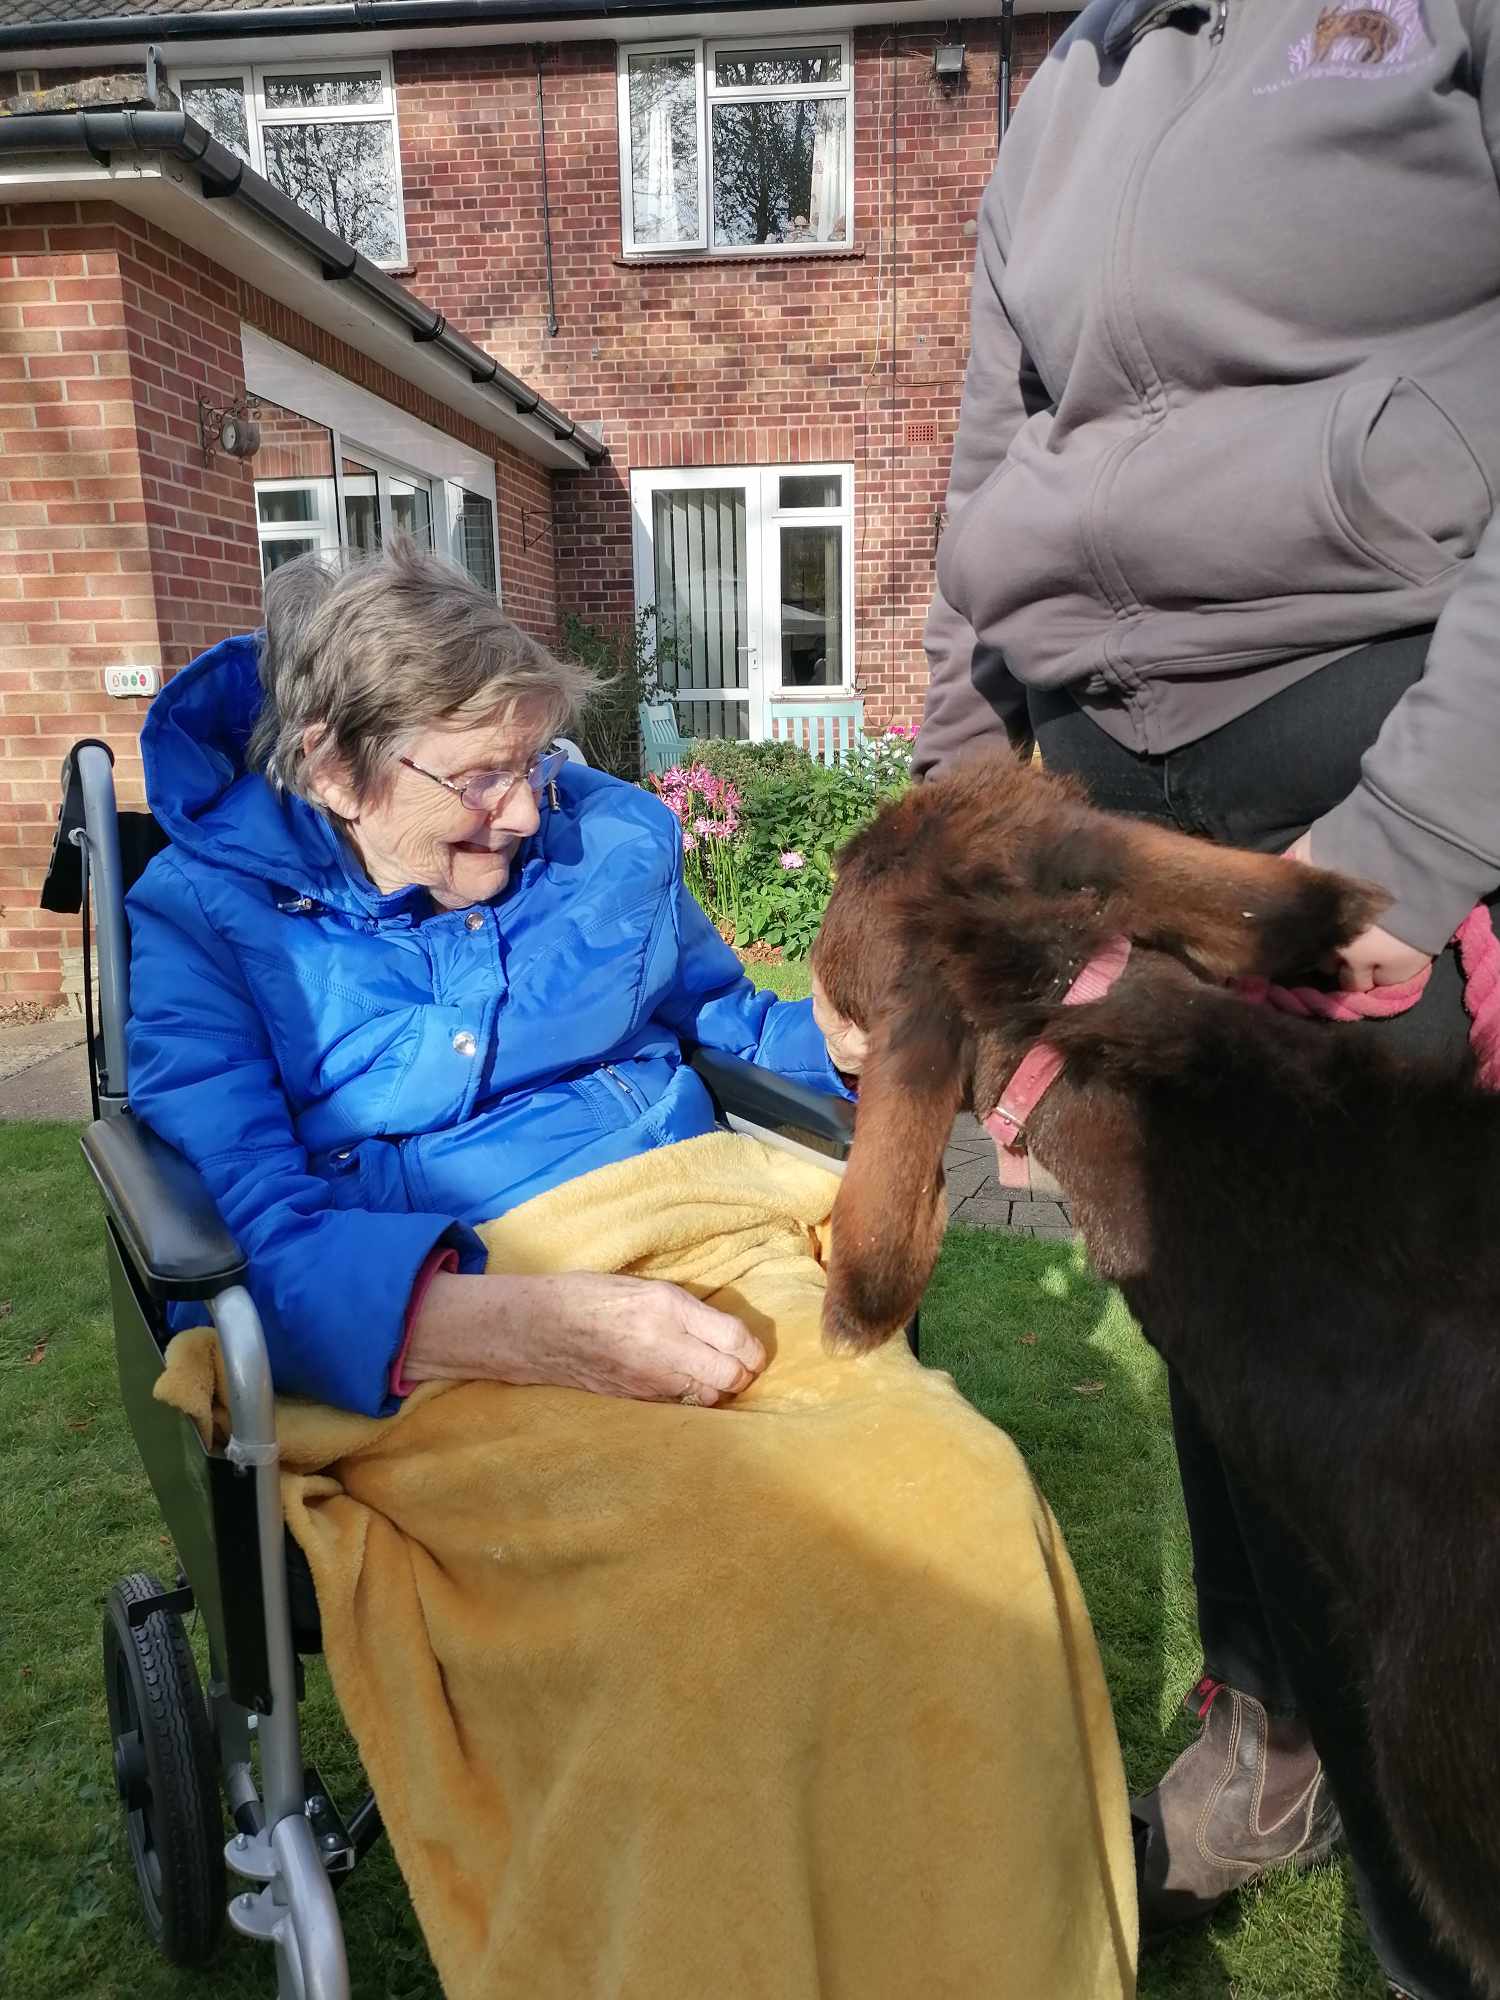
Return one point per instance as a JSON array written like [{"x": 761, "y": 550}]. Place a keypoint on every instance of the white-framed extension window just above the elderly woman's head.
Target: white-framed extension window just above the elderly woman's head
[{"x": 341, "y": 469}]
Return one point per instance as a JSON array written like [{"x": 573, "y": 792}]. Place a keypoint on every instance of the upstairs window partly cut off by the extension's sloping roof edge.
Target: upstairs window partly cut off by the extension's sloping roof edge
[{"x": 321, "y": 133}]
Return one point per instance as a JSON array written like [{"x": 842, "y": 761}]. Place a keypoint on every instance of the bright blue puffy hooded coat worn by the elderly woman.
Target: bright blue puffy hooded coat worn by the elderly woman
[{"x": 365, "y": 1077}]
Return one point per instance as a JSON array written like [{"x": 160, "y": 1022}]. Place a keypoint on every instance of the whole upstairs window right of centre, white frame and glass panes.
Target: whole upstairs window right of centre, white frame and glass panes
[{"x": 737, "y": 147}]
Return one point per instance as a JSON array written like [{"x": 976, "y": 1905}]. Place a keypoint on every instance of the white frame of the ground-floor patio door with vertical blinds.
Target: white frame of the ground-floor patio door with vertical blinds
[{"x": 765, "y": 519}]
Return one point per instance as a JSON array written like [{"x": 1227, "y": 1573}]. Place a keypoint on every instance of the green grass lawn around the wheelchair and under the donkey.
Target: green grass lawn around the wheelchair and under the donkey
[{"x": 1035, "y": 1341}]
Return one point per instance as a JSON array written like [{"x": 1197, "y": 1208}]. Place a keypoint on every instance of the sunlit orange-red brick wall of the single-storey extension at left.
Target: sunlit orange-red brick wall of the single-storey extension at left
[{"x": 117, "y": 543}]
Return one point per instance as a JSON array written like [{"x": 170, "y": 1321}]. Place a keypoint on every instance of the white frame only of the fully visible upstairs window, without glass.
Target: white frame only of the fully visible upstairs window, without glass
[{"x": 709, "y": 95}]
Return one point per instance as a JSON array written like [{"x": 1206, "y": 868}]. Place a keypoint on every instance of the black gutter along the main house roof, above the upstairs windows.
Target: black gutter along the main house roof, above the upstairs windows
[{"x": 355, "y": 15}]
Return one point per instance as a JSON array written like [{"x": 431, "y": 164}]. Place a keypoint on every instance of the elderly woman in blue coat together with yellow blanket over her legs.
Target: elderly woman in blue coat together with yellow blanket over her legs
[{"x": 785, "y": 1697}]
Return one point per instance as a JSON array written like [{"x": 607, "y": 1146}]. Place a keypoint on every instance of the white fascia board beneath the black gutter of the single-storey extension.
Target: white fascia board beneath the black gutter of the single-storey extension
[{"x": 167, "y": 193}]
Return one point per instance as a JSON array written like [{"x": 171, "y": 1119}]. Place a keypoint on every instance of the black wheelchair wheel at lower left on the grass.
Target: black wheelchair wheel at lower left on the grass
[{"x": 165, "y": 1771}]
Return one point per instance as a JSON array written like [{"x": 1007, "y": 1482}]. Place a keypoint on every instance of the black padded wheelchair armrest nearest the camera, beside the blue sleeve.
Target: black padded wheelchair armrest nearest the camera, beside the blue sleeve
[{"x": 163, "y": 1213}]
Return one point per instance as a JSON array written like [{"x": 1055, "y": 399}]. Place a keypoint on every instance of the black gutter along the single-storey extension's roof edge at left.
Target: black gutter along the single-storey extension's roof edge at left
[{"x": 225, "y": 177}]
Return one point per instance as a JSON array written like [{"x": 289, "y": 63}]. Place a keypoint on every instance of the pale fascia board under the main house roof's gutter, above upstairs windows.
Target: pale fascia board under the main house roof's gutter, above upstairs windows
[{"x": 297, "y": 47}]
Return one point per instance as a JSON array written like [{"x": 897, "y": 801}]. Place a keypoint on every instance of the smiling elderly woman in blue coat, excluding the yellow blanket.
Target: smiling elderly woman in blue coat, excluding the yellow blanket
[{"x": 403, "y": 969}]
